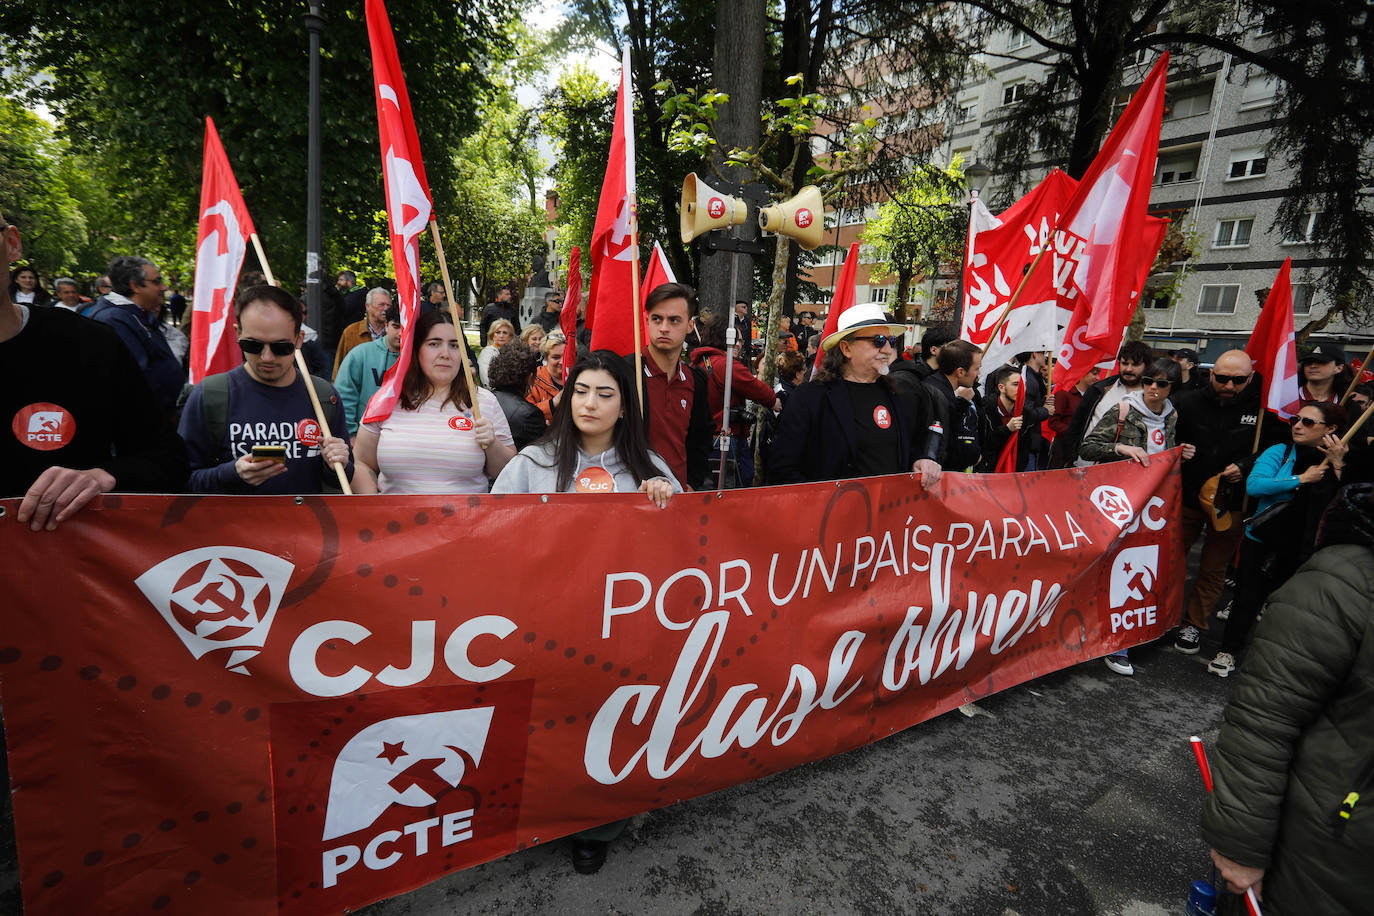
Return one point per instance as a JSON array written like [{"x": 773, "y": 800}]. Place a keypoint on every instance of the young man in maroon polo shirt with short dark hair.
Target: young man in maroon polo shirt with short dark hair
[{"x": 677, "y": 411}]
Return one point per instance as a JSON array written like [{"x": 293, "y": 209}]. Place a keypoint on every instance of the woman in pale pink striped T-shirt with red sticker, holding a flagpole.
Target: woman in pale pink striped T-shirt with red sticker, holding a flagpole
[{"x": 433, "y": 443}]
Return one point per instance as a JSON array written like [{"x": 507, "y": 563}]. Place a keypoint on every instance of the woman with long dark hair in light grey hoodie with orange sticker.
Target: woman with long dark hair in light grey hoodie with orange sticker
[{"x": 597, "y": 443}]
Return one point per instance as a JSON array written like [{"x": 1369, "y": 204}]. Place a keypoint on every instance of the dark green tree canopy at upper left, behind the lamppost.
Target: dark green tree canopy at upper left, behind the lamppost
[{"x": 131, "y": 86}]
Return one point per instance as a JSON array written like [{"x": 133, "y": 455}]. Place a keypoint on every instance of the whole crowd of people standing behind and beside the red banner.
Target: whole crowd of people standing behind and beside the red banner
[{"x": 100, "y": 404}]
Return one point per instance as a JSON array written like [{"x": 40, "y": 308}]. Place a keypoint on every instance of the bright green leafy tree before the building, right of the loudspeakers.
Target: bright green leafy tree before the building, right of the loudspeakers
[{"x": 923, "y": 227}]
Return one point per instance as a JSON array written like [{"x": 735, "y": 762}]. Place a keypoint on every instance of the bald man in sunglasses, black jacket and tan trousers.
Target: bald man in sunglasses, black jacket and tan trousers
[{"x": 1219, "y": 421}]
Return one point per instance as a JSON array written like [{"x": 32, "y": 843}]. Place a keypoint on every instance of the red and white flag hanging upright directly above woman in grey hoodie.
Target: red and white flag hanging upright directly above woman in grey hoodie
[{"x": 615, "y": 248}]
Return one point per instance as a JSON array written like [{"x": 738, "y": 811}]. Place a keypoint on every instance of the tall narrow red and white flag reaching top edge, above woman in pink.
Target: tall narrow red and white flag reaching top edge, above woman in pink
[{"x": 409, "y": 204}]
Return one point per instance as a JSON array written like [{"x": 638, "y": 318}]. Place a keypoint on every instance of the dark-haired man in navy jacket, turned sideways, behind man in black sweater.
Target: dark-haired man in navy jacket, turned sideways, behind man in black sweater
[{"x": 134, "y": 310}]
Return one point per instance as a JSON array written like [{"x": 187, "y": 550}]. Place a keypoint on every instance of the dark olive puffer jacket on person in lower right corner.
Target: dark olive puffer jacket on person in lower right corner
[{"x": 1299, "y": 734}]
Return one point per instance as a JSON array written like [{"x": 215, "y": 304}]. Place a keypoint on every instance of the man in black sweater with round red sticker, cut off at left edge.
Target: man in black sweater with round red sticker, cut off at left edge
[{"x": 80, "y": 420}]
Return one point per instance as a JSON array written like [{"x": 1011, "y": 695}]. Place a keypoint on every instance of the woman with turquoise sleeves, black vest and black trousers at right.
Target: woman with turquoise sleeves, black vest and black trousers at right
[{"x": 1294, "y": 484}]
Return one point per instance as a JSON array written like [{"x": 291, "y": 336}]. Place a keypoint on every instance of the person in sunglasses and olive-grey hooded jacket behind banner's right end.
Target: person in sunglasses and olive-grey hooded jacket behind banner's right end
[{"x": 1142, "y": 426}]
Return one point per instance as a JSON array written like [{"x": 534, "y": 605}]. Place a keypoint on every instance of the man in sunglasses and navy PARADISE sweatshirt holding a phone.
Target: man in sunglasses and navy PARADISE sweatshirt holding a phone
[{"x": 264, "y": 403}]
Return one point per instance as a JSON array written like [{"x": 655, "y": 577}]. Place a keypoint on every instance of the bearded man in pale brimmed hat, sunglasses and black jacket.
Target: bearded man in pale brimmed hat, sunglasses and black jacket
[{"x": 850, "y": 422}]
